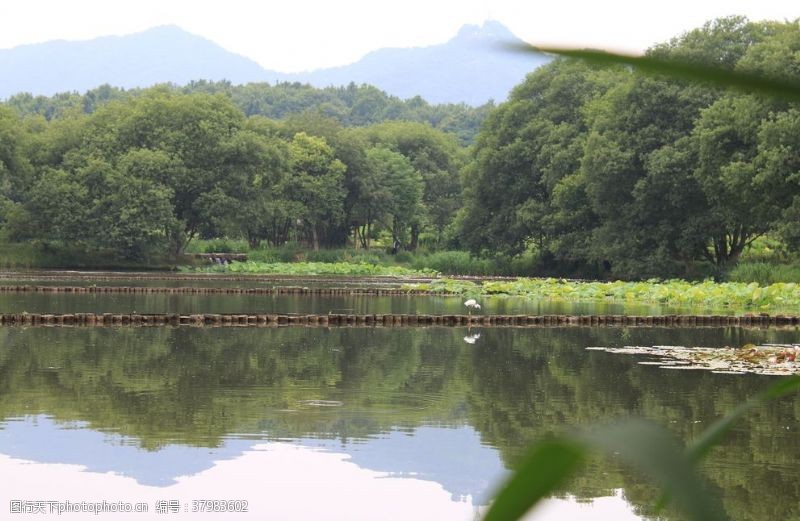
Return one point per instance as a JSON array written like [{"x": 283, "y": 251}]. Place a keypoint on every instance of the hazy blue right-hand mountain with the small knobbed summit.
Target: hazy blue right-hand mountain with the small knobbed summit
[{"x": 469, "y": 68}]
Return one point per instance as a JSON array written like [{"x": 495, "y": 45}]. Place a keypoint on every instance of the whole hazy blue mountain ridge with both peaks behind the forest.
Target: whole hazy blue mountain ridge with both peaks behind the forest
[{"x": 469, "y": 68}]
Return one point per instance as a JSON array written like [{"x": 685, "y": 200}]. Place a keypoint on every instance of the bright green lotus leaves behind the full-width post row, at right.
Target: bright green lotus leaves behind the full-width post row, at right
[{"x": 736, "y": 296}]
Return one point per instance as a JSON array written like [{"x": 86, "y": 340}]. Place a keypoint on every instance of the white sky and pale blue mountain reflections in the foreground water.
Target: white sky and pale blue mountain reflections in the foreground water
[{"x": 397, "y": 476}]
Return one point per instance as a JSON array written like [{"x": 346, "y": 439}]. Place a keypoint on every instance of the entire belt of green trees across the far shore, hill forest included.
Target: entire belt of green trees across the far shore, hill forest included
[{"x": 594, "y": 171}]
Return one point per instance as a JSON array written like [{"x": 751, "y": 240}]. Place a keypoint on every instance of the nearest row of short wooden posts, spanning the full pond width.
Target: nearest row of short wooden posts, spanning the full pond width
[{"x": 230, "y": 319}]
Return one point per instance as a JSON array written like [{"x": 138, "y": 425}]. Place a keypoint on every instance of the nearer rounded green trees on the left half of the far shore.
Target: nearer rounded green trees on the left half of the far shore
[{"x": 144, "y": 175}]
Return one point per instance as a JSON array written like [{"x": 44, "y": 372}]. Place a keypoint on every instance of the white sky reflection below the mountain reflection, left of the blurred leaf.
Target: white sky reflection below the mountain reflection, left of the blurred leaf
[{"x": 277, "y": 480}]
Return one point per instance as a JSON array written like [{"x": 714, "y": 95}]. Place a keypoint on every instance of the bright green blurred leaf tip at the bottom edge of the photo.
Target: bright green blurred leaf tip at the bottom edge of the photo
[{"x": 544, "y": 469}]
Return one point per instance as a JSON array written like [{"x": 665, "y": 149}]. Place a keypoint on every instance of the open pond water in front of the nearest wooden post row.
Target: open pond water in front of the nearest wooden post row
[{"x": 363, "y": 423}]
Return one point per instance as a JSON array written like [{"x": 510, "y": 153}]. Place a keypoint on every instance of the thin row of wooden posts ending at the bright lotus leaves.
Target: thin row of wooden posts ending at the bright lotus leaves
[{"x": 217, "y": 291}]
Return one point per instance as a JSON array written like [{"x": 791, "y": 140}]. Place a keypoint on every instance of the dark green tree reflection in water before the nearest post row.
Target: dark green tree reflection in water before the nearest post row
[{"x": 198, "y": 386}]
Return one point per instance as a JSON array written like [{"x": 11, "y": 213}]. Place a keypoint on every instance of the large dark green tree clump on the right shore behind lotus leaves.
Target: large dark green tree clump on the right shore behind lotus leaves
[{"x": 606, "y": 170}]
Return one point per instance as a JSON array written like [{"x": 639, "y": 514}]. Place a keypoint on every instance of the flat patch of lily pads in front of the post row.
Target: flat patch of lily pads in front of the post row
[{"x": 768, "y": 359}]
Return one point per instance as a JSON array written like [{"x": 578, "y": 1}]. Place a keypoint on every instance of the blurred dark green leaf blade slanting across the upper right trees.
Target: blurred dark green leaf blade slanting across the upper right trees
[{"x": 717, "y": 76}]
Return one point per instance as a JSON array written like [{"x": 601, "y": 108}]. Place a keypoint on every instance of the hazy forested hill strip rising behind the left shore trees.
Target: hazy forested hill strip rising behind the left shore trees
[{"x": 350, "y": 106}]
